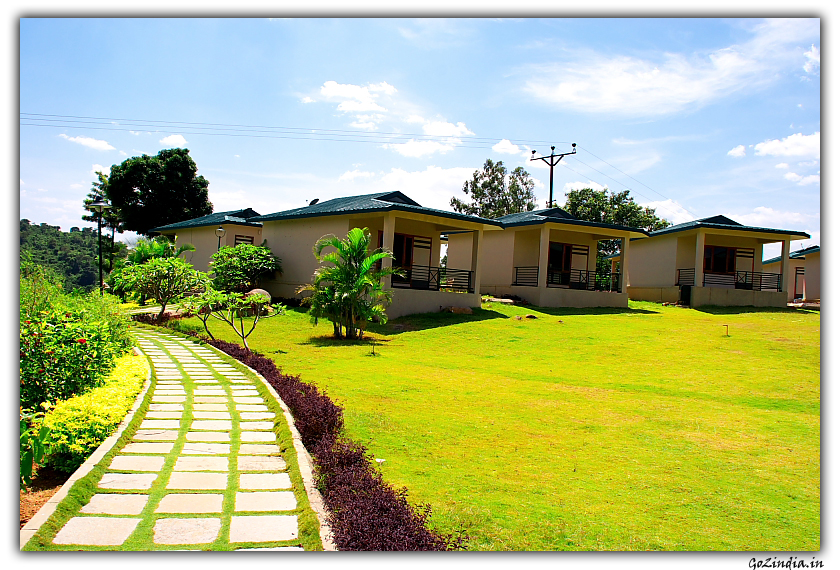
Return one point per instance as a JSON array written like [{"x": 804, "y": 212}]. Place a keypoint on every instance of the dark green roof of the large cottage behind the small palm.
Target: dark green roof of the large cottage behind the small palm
[{"x": 381, "y": 202}]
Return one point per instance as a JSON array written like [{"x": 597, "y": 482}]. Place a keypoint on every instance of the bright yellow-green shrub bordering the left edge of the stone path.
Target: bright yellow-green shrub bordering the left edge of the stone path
[{"x": 79, "y": 425}]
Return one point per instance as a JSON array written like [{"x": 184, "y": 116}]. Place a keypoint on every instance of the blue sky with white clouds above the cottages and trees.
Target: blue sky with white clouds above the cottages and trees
[{"x": 696, "y": 117}]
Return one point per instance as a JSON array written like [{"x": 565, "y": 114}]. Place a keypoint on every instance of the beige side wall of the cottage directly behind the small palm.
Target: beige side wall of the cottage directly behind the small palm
[{"x": 292, "y": 241}]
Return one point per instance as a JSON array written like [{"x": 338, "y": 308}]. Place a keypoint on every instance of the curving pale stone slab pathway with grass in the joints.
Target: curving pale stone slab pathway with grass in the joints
[{"x": 203, "y": 471}]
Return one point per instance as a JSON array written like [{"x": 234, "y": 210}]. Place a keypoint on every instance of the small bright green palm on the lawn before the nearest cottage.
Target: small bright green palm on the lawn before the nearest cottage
[{"x": 349, "y": 292}]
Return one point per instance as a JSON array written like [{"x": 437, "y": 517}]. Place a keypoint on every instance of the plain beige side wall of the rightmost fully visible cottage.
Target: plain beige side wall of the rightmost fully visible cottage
[{"x": 652, "y": 263}]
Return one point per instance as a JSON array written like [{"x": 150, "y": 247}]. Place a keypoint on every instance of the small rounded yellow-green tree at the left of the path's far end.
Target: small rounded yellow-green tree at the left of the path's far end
[{"x": 163, "y": 279}]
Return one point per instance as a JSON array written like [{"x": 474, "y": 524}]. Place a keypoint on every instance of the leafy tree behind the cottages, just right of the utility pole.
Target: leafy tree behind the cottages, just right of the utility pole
[{"x": 606, "y": 207}]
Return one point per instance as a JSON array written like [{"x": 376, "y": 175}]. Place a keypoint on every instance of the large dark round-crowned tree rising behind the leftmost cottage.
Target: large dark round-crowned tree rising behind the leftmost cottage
[{"x": 151, "y": 191}]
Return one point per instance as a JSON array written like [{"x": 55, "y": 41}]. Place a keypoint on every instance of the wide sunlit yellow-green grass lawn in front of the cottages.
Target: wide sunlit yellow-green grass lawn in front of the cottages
[{"x": 598, "y": 429}]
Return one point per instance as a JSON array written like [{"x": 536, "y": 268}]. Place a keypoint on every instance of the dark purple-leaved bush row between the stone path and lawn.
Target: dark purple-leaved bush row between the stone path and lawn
[{"x": 365, "y": 512}]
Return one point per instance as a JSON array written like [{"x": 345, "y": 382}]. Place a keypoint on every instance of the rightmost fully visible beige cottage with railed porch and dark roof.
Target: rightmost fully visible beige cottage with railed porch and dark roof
[{"x": 711, "y": 261}]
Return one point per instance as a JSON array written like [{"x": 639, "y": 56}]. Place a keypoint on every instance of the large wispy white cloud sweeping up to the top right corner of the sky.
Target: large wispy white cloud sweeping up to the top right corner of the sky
[{"x": 592, "y": 82}]
